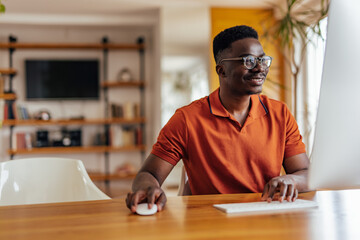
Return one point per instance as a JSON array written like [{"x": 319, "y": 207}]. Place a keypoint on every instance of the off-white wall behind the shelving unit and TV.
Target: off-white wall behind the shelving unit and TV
[{"x": 89, "y": 109}]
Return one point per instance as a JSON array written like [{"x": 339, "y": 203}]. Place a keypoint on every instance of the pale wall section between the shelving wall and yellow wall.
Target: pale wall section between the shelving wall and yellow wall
[{"x": 185, "y": 50}]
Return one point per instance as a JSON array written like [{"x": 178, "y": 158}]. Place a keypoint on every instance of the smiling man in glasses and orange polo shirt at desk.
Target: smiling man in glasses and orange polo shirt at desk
[{"x": 232, "y": 141}]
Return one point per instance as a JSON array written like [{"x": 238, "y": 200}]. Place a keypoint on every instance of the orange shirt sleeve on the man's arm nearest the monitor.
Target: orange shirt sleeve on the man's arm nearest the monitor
[{"x": 293, "y": 143}]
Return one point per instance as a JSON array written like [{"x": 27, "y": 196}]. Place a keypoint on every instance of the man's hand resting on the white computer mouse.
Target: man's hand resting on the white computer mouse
[{"x": 150, "y": 195}]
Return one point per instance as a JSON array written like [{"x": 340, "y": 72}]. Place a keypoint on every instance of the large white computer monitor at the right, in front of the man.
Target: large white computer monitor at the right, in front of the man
[{"x": 335, "y": 159}]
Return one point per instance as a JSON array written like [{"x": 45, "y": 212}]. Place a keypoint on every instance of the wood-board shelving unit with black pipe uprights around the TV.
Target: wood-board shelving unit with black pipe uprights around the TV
[{"x": 106, "y": 85}]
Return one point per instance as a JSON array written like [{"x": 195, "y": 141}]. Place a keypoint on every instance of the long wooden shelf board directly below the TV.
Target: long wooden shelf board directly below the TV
[{"x": 31, "y": 122}]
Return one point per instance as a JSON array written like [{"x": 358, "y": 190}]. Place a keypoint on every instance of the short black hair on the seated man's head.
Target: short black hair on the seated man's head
[{"x": 225, "y": 38}]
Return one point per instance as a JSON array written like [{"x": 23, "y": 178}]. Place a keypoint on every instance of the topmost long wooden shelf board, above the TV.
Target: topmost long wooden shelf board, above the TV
[{"x": 87, "y": 46}]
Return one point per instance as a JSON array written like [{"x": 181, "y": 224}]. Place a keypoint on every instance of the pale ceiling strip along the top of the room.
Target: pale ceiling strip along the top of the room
[{"x": 117, "y": 6}]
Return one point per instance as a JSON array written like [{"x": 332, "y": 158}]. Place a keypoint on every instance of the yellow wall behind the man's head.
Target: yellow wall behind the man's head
[{"x": 259, "y": 19}]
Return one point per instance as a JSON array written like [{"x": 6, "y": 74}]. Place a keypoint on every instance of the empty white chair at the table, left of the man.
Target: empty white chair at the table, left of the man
[{"x": 46, "y": 180}]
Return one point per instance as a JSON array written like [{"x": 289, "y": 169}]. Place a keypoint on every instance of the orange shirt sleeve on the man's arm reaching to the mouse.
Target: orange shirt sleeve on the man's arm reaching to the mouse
[{"x": 171, "y": 142}]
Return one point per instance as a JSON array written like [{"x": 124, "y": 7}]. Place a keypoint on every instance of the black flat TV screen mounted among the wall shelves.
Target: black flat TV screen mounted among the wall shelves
[{"x": 62, "y": 79}]
